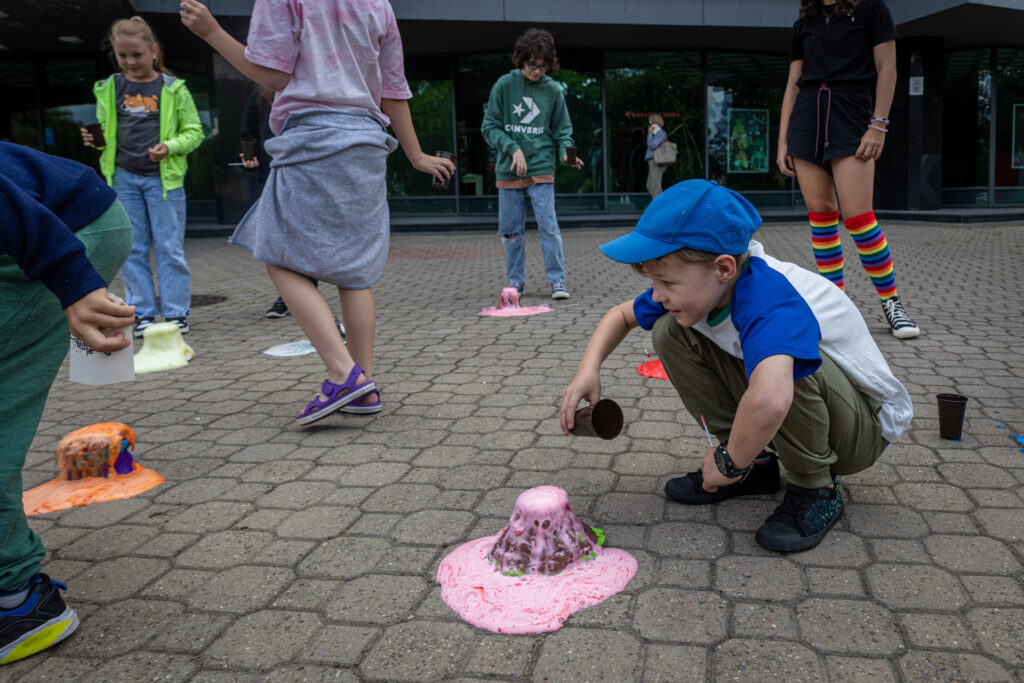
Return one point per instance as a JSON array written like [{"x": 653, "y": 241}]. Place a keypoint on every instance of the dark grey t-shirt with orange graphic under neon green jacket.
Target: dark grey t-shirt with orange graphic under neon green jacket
[{"x": 139, "y": 124}]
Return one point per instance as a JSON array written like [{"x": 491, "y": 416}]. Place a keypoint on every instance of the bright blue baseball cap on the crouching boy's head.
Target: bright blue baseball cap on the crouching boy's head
[{"x": 693, "y": 215}]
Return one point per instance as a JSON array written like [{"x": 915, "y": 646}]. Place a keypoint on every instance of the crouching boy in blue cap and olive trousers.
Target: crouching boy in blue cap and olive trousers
[{"x": 765, "y": 351}]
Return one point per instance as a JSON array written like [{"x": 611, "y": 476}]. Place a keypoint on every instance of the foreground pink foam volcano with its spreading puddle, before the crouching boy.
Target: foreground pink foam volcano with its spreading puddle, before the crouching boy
[{"x": 537, "y": 572}]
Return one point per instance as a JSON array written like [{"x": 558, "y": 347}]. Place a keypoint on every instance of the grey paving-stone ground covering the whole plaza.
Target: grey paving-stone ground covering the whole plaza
[{"x": 280, "y": 553}]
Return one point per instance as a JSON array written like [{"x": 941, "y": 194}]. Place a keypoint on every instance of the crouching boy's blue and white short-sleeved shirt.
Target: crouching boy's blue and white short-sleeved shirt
[{"x": 780, "y": 309}]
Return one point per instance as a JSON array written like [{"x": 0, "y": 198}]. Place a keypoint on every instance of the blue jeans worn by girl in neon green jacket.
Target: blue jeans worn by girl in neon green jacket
[{"x": 161, "y": 224}]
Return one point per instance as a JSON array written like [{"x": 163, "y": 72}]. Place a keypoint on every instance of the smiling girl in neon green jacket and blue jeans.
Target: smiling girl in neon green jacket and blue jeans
[{"x": 150, "y": 124}]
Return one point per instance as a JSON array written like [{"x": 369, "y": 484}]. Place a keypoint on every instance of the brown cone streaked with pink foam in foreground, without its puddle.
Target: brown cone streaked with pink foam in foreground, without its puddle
[{"x": 544, "y": 535}]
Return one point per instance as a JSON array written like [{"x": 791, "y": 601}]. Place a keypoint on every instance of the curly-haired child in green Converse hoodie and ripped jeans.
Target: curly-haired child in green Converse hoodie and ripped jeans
[{"x": 527, "y": 122}]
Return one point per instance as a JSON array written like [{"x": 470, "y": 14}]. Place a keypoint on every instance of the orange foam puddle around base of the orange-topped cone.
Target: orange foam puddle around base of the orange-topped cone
[{"x": 60, "y": 495}]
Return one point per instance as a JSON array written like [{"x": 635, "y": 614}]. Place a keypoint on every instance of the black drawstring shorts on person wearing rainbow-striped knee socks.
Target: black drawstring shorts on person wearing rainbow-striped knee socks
[{"x": 828, "y": 124}]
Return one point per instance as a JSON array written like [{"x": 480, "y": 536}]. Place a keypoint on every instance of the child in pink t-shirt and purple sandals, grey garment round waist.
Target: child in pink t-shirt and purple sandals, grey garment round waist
[{"x": 337, "y": 69}]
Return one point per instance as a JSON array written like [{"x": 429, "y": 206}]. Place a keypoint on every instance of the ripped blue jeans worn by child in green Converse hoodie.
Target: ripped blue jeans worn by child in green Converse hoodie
[{"x": 513, "y": 228}]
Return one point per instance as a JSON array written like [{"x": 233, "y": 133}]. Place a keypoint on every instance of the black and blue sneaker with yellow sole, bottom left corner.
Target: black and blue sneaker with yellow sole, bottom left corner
[{"x": 44, "y": 620}]
